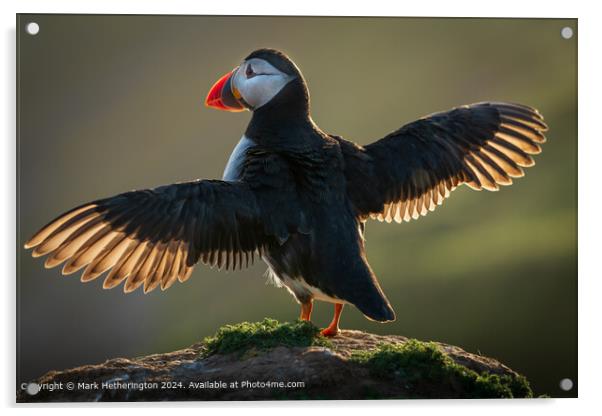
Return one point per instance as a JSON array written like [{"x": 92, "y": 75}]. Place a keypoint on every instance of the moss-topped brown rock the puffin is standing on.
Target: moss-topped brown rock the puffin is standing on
[{"x": 270, "y": 360}]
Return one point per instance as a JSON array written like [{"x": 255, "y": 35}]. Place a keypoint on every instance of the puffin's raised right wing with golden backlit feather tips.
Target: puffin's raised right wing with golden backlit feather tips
[{"x": 484, "y": 145}]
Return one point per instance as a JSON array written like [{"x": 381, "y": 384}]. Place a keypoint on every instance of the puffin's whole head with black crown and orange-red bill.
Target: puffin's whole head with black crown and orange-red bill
[{"x": 266, "y": 76}]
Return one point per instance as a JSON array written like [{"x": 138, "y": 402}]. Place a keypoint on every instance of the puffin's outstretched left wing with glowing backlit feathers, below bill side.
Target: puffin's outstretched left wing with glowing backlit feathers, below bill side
[{"x": 155, "y": 237}]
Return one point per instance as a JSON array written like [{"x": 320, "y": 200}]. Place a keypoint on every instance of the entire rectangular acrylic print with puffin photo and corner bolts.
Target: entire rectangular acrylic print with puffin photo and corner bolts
[{"x": 474, "y": 299}]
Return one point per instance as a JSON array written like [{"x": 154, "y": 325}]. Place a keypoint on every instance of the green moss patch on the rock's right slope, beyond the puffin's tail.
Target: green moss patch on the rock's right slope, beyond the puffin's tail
[{"x": 422, "y": 366}]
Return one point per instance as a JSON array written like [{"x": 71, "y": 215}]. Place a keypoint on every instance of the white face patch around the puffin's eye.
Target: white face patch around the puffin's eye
[{"x": 257, "y": 82}]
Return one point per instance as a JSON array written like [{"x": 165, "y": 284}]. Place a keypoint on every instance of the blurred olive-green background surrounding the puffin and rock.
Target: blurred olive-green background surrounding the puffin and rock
[{"x": 113, "y": 103}]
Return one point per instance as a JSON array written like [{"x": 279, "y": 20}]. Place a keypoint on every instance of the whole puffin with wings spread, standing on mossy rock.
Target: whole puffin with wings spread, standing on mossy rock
[{"x": 295, "y": 196}]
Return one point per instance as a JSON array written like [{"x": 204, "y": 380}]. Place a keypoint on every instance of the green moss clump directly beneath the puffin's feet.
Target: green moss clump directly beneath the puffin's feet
[{"x": 249, "y": 337}]
